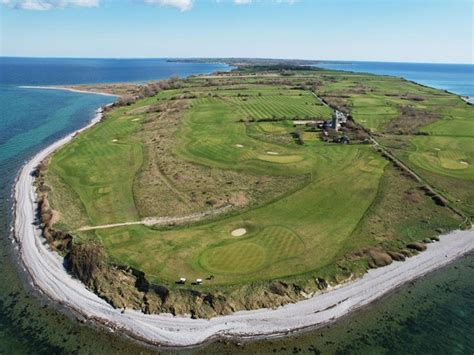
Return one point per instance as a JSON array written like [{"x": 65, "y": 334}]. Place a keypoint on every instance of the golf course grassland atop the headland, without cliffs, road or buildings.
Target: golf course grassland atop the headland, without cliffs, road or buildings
[{"x": 323, "y": 202}]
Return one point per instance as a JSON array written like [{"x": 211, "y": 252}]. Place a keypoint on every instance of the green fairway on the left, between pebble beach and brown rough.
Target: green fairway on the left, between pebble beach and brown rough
[{"x": 96, "y": 165}]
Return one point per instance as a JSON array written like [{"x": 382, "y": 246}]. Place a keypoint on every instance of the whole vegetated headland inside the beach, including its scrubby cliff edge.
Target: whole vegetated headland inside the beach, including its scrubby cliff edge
[{"x": 285, "y": 210}]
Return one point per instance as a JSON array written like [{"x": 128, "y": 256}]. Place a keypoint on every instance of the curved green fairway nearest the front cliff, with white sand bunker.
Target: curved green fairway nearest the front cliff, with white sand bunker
[{"x": 298, "y": 233}]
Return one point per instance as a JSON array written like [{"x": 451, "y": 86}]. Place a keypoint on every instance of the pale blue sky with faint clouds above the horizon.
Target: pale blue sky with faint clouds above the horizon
[{"x": 438, "y": 31}]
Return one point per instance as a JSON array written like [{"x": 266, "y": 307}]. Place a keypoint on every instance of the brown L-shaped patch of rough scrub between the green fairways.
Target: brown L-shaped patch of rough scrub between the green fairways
[{"x": 186, "y": 188}]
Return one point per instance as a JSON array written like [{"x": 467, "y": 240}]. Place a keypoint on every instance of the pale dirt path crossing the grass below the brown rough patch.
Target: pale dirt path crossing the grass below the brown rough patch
[{"x": 160, "y": 221}]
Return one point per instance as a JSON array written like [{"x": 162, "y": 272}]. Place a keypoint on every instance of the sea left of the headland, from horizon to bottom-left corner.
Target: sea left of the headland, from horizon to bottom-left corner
[{"x": 31, "y": 119}]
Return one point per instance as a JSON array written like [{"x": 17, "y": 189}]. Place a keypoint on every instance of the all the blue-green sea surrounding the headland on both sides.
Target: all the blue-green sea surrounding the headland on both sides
[{"x": 433, "y": 315}]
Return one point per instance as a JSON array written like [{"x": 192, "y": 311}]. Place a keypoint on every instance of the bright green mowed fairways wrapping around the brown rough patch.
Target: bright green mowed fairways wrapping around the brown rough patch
[{"x": 301, "y": 232}]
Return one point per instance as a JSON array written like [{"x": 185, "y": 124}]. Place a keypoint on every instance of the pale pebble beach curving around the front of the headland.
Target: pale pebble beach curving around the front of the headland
[{"x": 49, "y": 276}]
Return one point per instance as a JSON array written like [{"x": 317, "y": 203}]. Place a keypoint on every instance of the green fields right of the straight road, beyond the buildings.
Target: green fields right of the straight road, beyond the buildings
[{"x": 442, "y": 155}]
